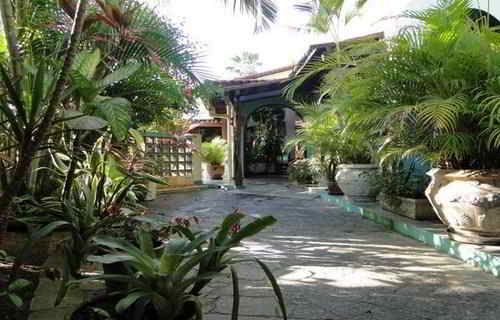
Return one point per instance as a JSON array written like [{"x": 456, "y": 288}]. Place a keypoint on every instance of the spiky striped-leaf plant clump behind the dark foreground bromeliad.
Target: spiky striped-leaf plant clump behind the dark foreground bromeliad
[{"x": 97, "y": 193}]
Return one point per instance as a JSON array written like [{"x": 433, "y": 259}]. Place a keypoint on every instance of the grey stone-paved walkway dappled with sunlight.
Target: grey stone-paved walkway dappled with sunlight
[{"x": 333, "y": 265}]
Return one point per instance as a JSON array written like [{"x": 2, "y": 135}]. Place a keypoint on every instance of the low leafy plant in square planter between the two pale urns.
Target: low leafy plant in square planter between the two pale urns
[{"x": 402, "y": 191}]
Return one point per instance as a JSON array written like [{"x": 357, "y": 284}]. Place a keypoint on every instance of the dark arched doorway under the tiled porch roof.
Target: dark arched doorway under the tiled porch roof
[{"x": 266, "y": 131}]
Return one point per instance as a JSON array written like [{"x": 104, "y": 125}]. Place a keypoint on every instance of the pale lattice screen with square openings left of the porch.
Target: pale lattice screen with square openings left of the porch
[{"x": 171, "y": 156}]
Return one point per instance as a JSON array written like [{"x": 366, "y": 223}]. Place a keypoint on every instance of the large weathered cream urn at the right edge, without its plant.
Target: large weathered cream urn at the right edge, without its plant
[{"x": 468, "y": 202}]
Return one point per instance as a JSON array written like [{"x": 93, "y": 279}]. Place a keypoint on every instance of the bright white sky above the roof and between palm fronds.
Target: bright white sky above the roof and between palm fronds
[{"x": 226, "y": 34}]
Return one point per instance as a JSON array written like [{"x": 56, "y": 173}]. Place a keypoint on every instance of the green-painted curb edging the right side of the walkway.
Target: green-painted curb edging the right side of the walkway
[{"x": 428, "y": 234}]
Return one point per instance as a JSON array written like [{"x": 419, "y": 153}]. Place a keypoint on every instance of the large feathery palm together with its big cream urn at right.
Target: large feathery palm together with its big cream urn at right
[{"x": 435, "y": 95}]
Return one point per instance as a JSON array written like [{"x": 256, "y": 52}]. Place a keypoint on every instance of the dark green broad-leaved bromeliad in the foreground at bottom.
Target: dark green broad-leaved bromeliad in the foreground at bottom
[{"x": 168, "y": 280}]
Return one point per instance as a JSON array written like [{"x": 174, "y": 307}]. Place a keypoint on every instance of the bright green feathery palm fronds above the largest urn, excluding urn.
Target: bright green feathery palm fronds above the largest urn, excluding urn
[{"x": 434, "y": 94}]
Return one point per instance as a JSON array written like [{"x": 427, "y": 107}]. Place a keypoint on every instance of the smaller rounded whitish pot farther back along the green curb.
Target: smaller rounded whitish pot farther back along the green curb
[{"x": 355, "y": 181}]
